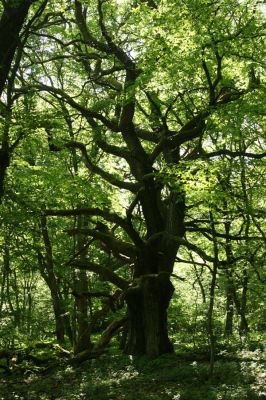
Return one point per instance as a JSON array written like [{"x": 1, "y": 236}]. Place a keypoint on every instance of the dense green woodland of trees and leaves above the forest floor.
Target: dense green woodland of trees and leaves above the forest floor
[{"x": 132, "y": 164}]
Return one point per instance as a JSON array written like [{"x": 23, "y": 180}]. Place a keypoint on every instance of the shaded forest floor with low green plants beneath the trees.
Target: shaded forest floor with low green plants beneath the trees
[{"x": 121, "y": 377}]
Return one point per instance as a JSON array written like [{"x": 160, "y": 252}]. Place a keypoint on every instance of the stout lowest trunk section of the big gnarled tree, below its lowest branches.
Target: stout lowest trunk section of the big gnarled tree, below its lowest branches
[{"x": 147, "y": 302}]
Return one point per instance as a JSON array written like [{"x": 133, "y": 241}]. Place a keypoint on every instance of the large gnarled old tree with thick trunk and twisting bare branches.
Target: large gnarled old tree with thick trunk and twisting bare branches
[{"x": 151, "y": 88}]
